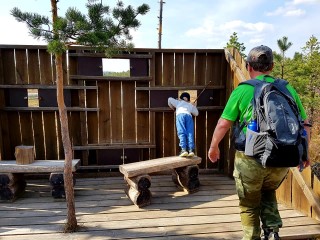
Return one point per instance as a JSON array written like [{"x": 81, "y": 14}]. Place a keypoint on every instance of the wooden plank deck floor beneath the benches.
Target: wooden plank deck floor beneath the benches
[{"x": 105, "y": 212}]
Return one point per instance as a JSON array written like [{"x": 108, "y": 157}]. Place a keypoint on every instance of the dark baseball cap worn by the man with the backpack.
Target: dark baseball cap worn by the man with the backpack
[{"x": 260, "y": 54}]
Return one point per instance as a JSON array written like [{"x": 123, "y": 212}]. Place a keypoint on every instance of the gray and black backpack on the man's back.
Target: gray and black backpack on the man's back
[{"x": 280, "y": 141}]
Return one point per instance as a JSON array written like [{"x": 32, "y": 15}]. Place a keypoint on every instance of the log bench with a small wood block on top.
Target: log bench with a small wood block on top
[{"x": 13, "y": 183}]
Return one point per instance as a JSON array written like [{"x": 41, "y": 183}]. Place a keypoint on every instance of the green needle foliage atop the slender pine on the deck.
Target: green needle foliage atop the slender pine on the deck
[{"x": 106, "y": 29}]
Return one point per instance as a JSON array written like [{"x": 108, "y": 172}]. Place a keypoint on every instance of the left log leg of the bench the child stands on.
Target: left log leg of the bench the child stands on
[{"x": 138, "y": 190}]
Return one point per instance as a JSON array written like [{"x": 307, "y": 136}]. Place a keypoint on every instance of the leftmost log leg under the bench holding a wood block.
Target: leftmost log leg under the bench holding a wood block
[{"x": 11, "y": 185}]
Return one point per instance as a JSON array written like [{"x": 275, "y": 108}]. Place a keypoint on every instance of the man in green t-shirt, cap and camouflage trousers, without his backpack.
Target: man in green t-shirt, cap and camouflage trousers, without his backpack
[{"x": 255, "y": 184}]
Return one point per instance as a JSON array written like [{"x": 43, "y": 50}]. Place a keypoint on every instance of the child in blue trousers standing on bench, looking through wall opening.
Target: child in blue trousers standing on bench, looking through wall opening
[{"x": 184, "y": 123}]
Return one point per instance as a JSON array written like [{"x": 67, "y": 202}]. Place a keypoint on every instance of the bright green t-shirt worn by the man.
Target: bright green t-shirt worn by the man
[{"x": 239, "y": 107}]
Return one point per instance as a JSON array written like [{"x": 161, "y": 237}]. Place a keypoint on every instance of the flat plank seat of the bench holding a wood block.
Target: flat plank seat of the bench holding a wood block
[{"x": 38, "y": 166}]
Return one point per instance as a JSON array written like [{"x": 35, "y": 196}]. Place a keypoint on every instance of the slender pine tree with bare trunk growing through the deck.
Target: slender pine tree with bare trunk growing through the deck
[{"x": 103, "y": 28}]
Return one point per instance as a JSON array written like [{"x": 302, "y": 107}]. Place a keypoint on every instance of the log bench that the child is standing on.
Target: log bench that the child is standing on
[{"x": 185, "y": 173}]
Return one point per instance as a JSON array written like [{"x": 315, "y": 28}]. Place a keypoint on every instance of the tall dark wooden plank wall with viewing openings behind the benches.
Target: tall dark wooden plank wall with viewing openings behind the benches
[{"x": 112, "y": 120}]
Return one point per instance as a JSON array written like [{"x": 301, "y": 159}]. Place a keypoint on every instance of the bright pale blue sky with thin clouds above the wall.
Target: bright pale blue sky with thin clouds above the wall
[{"x": 188, "y": 24}]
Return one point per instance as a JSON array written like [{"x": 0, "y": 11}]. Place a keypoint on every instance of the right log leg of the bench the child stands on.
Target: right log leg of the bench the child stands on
[{"x": 187, "y": 178}]
